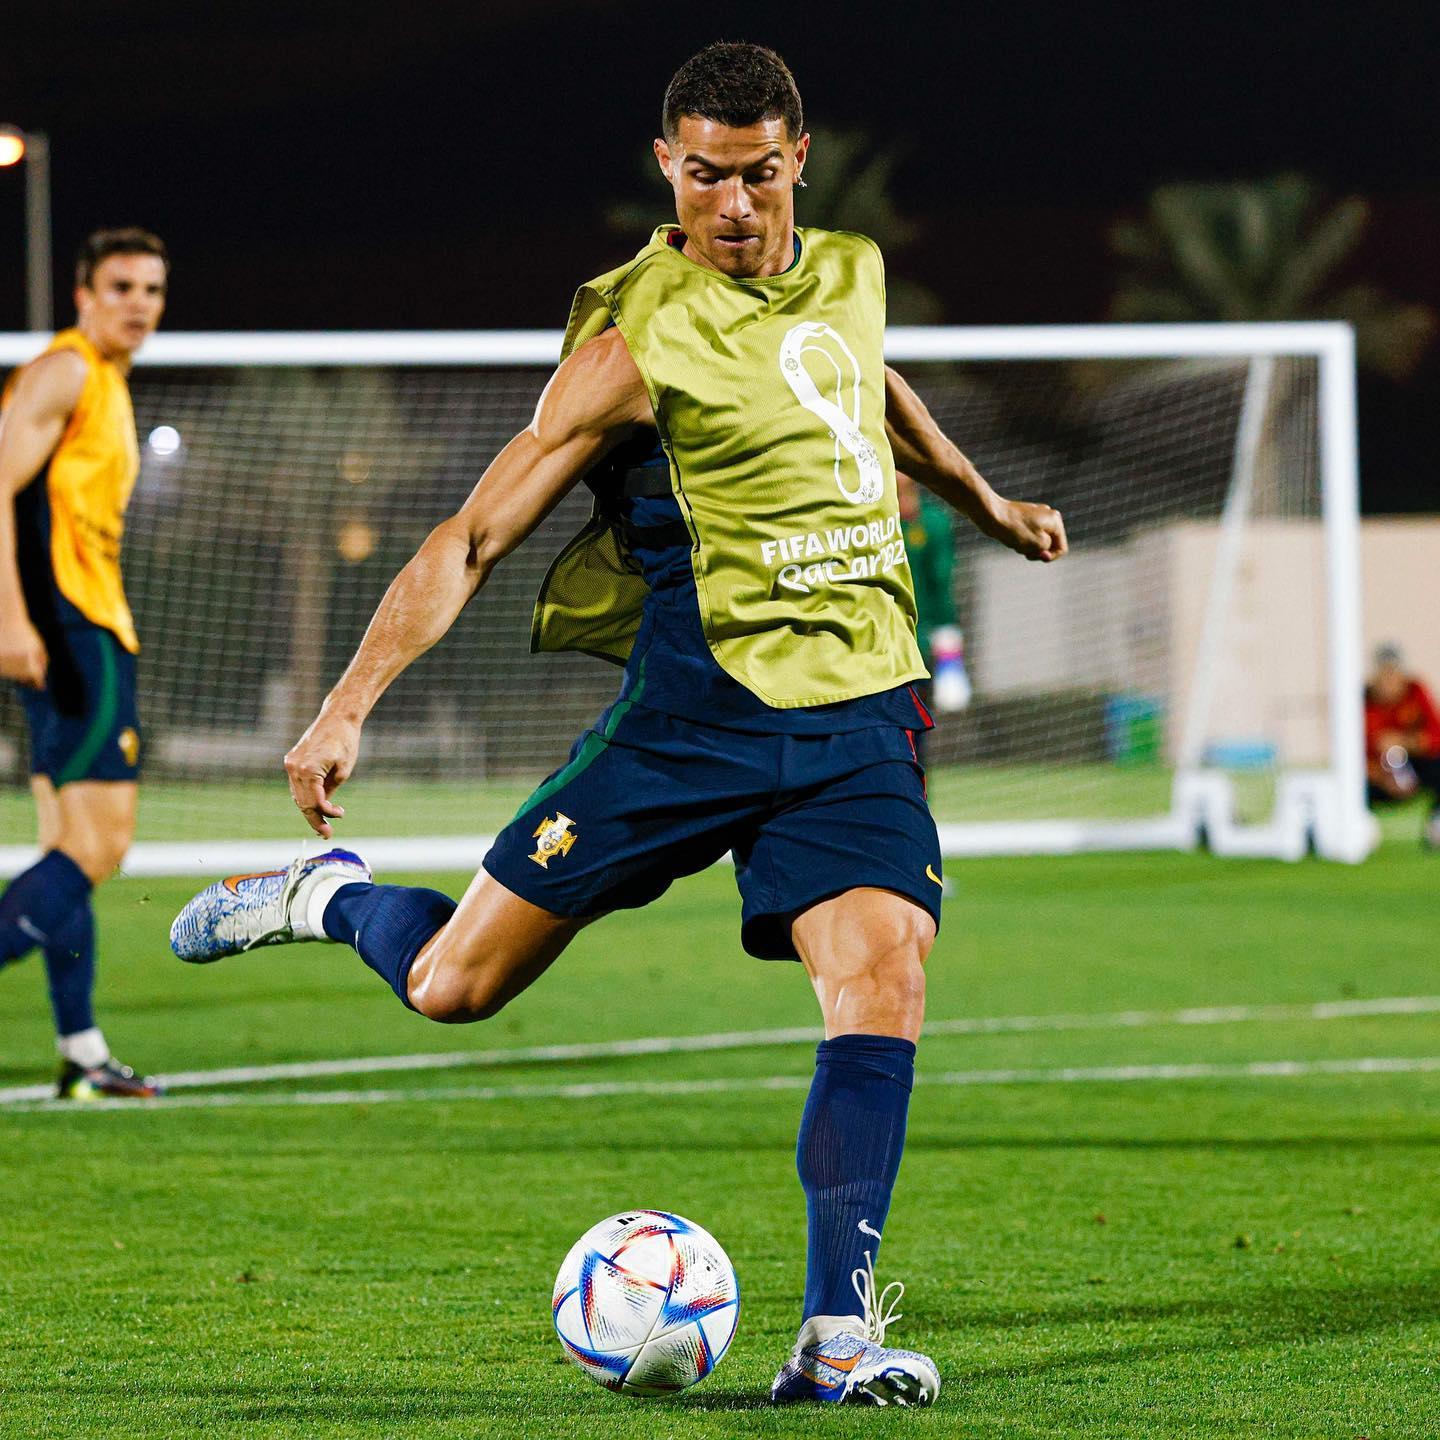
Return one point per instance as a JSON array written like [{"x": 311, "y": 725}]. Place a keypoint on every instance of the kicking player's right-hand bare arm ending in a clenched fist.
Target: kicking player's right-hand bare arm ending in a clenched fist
[{"x": 924, "y": 451}]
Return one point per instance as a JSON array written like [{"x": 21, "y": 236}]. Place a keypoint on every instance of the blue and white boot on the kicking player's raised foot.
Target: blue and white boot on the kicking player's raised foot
[{"x": 271, "y": 908}]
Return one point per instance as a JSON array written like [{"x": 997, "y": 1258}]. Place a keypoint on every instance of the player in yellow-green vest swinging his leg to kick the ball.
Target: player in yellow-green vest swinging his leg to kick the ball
[{"x": 725, "y": 398}]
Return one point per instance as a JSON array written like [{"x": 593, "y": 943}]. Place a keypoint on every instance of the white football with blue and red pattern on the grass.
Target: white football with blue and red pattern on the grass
[{"x": 646, "y": 1302}]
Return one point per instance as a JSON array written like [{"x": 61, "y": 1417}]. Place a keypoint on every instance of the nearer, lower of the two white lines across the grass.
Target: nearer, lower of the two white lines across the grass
[{"x": 606, "y": 1089}]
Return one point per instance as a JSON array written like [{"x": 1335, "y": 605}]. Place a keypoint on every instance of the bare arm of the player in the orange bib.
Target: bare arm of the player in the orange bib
[{"x": 44, "y": 401}]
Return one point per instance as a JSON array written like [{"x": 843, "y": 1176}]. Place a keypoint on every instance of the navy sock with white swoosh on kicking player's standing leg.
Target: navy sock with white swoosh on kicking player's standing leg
[{"x": 849, "y": 1156}]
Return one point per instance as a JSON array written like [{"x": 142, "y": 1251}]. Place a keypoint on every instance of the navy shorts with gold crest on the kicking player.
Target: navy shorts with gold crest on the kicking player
[{"x": 647, "y": 798}]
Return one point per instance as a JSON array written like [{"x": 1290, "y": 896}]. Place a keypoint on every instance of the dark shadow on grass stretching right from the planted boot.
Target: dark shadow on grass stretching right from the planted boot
[{"x": 1255, "y": 1318}]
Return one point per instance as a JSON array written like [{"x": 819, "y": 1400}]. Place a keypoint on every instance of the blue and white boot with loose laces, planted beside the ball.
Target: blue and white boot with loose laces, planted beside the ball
[{"x": 846, "y": 1360}]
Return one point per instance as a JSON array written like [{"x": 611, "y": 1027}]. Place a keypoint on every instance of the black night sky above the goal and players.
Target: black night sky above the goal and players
[{"x": 446, "y": 165}]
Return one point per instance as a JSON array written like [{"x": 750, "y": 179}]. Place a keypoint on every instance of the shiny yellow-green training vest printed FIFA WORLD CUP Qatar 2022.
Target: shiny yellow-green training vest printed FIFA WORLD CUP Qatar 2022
[{"x": 770, "y": 400}]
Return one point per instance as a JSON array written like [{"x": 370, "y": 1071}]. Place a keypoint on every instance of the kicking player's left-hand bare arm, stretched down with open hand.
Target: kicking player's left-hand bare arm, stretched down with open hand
[{"x": 594, "y": 401}]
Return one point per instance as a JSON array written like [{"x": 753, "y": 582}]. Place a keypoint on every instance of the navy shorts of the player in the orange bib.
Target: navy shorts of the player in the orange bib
[{"x": 84, "y": 724}]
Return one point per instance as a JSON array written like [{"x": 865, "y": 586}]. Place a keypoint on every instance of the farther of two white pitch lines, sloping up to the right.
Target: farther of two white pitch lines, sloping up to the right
[{"x": 758, "y": 1039}]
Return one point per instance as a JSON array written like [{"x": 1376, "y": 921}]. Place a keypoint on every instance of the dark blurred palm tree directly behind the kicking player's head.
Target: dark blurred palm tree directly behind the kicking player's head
[{"x": 847, "y": 188}]
